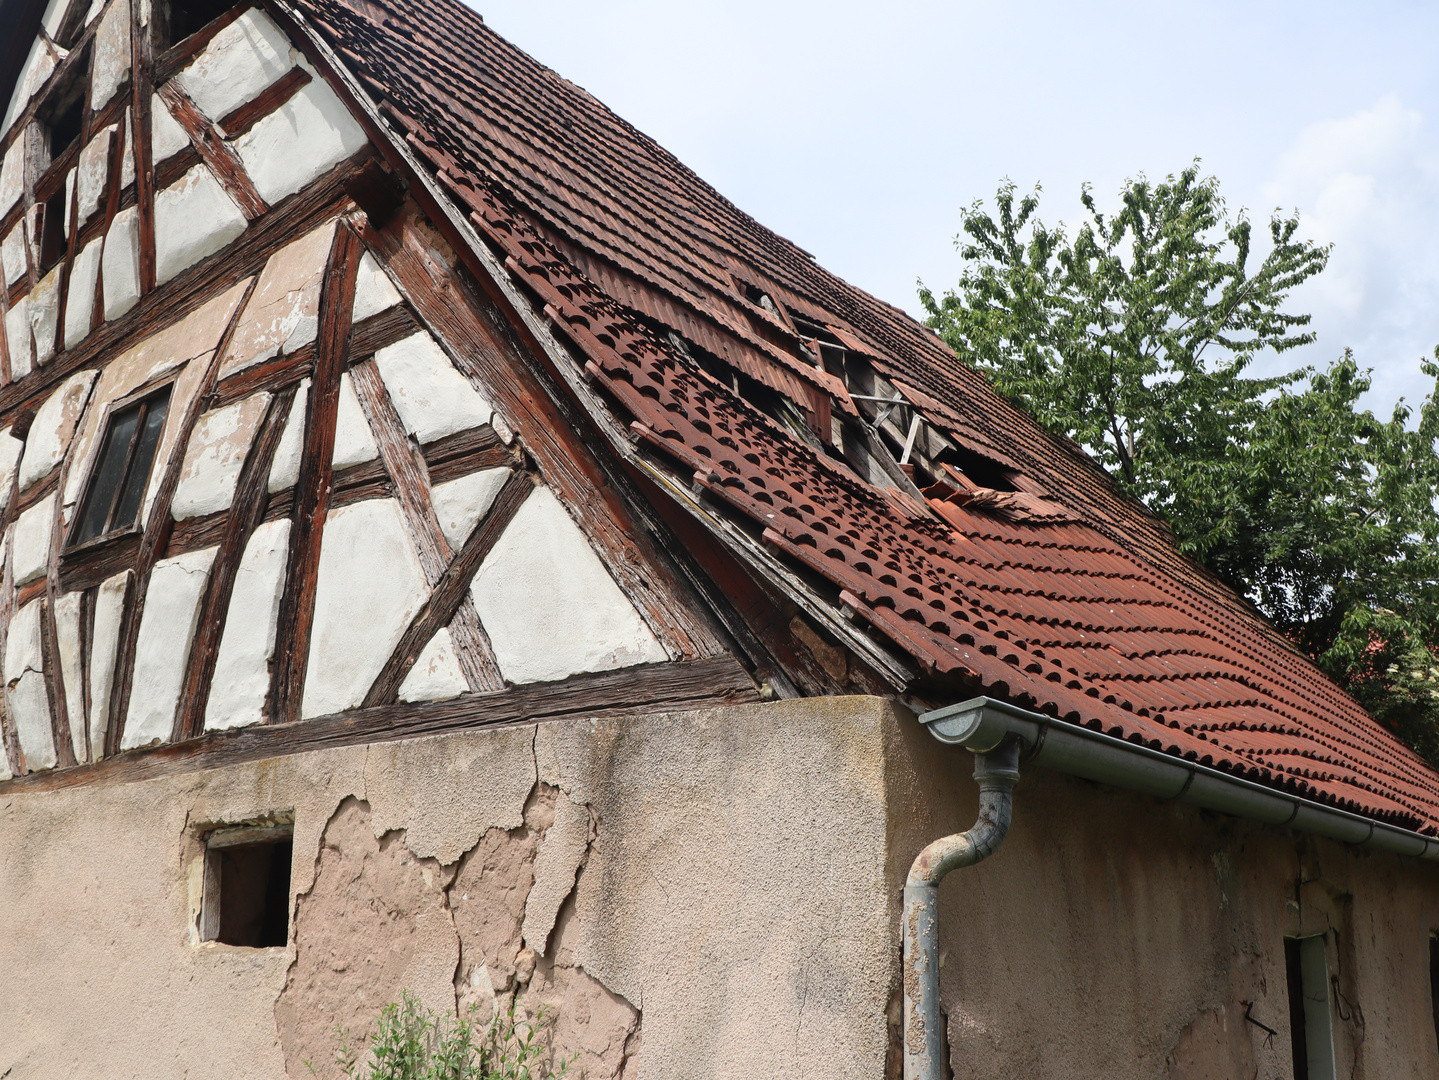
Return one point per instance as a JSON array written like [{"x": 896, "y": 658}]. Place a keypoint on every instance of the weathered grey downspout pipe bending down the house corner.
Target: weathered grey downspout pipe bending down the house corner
[{"x": 923, "y": 1033}]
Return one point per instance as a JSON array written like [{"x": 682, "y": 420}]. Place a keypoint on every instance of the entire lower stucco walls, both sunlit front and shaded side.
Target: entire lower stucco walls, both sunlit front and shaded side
[{"x": 702, "y": 895}]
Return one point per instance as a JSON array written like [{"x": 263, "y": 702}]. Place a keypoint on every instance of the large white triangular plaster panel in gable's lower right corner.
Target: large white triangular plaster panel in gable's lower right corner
[{"x": 549, "y": 603}]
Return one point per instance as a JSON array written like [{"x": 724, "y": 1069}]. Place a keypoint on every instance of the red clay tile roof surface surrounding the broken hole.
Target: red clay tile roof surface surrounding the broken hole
[{"x": 1091, "y": 616}]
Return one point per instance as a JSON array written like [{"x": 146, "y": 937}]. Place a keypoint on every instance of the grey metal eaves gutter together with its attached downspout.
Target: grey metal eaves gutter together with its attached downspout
[{"x": 998, "y": 733}]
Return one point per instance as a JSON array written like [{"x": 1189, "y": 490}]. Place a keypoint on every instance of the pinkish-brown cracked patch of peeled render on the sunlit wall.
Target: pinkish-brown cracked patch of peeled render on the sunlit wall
[{"x": 379, "y": 920}]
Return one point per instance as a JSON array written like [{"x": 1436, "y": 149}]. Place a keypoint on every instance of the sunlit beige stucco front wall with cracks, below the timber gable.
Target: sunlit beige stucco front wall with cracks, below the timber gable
[{"x": 729, "y": 917}]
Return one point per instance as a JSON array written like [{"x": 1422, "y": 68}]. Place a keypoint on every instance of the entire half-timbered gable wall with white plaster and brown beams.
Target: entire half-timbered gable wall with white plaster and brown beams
[{"x": 335, "y": 511}]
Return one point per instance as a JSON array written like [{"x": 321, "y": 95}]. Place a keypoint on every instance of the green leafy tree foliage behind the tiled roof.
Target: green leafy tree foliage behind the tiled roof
[{"x": 1136, "y": 337}]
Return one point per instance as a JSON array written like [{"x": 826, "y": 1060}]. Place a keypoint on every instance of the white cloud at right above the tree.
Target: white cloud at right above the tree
[{"x": 1369, "y": 185}]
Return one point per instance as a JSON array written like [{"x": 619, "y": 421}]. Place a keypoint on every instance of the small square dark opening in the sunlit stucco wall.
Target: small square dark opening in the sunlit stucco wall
[{"x": 247, "y": 887}]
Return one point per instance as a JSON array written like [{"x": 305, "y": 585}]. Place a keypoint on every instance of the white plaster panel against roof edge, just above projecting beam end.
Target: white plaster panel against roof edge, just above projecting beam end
[{"x": 299, "y": 143}]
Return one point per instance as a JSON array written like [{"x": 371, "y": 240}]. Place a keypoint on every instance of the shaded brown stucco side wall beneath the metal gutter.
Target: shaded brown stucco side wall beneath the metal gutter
[{"x": 1119, "y": 937}]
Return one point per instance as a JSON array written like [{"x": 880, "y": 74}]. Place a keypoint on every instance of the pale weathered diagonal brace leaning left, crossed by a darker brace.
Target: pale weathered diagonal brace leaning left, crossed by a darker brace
[{"x": 411, "y": 477}]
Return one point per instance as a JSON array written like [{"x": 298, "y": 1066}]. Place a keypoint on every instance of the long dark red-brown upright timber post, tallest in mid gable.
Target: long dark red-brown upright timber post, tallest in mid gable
[{"x": 313, "y": 490}]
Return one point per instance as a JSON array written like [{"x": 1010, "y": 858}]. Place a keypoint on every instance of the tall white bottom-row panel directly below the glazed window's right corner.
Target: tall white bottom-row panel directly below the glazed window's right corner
[{"x": 163, "y": 646}]
